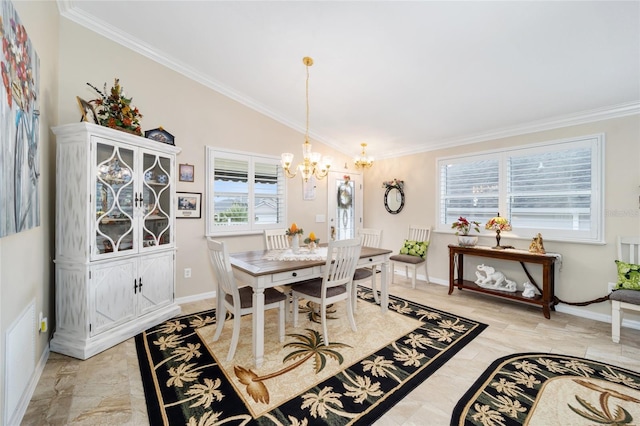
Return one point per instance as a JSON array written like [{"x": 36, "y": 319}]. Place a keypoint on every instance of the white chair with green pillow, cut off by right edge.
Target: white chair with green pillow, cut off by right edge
[{"x": 624, "y": 299}]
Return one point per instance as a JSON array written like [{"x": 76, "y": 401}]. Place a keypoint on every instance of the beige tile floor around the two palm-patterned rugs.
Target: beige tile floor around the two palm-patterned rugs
[{"x": 106, "y": 389}]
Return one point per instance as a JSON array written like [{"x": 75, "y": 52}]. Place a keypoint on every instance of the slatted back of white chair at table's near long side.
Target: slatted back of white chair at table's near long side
[{"x": 342, "y": 258}]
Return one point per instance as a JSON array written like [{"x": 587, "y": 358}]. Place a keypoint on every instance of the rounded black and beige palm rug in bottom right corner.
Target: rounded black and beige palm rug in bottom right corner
[{"x": 548, "y": 389}]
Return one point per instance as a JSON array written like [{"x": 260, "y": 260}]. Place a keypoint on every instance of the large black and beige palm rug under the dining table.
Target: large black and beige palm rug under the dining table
[{"x": 354, "y": 380}]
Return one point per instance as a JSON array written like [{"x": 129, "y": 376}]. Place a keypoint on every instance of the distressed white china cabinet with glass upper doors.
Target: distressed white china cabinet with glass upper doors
[{"x": 115, "y": 237}]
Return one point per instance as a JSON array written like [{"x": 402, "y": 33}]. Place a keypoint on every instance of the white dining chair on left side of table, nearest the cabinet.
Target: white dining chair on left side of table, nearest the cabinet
[{"x": 239, "y": 301}]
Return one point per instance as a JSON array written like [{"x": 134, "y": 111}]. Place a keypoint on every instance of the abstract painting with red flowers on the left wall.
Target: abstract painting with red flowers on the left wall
[{"x": 19, "y": 126}]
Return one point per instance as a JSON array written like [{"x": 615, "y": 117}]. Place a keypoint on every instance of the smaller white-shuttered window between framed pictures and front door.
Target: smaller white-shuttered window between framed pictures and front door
[{"x": 245, "y": 193}]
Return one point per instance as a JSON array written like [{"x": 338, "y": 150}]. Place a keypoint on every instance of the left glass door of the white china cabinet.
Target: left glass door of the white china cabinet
[{"x": 114, "y": 199}]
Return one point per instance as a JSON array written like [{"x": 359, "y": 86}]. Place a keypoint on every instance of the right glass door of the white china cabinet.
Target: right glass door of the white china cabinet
[{"x": 156, "y": 196}]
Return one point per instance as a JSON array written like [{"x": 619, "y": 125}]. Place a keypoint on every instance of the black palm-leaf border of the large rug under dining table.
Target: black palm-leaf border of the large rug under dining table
[{"x": 397, "y": 304}]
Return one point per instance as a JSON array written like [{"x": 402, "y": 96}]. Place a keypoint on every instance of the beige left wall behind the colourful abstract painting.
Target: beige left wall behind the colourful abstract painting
[{"x": 26, "y": 268}]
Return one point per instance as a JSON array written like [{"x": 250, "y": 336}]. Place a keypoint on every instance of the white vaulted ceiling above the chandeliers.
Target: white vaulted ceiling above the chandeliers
[{"x": 404, "y": 77}]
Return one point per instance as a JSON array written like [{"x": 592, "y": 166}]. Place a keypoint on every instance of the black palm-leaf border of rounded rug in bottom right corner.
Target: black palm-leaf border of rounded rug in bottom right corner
[{"x": 575, "y": 367}]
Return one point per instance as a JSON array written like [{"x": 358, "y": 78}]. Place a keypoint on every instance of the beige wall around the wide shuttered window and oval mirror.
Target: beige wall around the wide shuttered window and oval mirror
[{"x": 585, "y": 268}]
